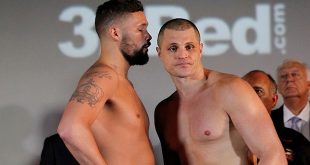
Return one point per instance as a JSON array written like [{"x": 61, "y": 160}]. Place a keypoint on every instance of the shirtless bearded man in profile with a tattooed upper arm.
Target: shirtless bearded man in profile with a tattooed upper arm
[{"x": 105, "y": 122}]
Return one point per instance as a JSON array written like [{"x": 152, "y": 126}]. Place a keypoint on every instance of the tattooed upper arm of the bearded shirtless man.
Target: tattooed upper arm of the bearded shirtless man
[{"x": 93, "y": 90}]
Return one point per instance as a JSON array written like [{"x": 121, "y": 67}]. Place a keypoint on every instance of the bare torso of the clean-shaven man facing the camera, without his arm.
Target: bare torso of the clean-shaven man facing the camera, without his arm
[{"x": 201, "y": 132}]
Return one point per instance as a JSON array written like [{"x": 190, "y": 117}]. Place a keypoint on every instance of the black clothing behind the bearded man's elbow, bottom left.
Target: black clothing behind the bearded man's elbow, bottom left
[{"x": 55, "y": 152}]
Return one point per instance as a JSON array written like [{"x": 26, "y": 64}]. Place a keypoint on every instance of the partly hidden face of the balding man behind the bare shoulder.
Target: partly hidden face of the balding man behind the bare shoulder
[{"x": 263, "y": 87}]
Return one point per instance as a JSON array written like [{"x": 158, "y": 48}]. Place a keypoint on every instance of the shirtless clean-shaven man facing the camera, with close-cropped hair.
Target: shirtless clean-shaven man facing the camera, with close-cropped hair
[{"x": 212, "y": 118}]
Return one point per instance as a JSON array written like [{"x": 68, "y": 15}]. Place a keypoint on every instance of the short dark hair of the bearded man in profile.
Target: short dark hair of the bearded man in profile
[{"x": 114, "y": 9}]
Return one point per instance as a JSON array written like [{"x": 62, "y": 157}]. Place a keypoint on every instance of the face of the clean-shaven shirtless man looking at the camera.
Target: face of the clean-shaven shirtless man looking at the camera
[{"x": 180, "y": 51}]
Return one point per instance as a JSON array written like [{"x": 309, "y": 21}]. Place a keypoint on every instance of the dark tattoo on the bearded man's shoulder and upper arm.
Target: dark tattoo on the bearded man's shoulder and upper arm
[{"x": 89, "y": 92}]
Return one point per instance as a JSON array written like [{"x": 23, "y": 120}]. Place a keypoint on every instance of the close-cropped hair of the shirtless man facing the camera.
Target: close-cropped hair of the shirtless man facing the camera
[{"x": 177, "y": 24}]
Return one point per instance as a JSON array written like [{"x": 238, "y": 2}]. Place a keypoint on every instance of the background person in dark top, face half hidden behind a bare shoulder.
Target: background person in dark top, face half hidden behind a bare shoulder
[{"x": 296, "y": 146}]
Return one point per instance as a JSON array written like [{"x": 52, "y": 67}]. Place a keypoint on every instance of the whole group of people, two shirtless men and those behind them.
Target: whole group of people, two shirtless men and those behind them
[{"x": 211, "y": 117}]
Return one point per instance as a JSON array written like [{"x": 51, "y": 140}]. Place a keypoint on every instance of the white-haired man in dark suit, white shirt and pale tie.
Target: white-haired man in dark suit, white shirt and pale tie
[{"x": 294, "y": 88}]
